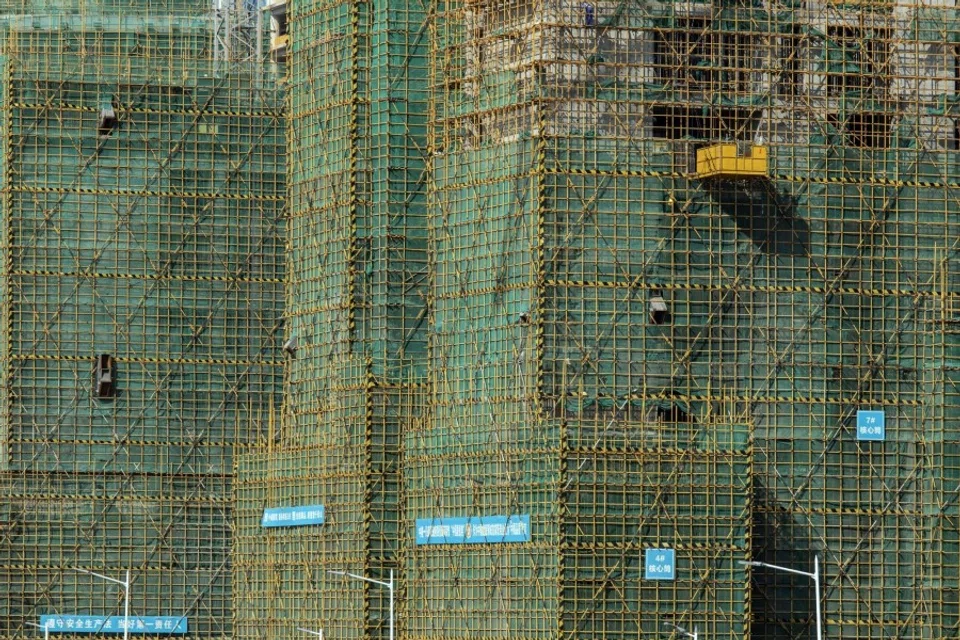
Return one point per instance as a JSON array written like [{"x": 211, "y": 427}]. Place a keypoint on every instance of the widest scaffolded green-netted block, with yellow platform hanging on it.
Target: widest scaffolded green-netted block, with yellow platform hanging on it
[{"x": 598, "y": 288}]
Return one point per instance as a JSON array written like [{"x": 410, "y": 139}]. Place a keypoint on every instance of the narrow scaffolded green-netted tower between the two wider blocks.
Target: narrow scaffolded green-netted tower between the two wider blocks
[{"x": 356, "y": 321}]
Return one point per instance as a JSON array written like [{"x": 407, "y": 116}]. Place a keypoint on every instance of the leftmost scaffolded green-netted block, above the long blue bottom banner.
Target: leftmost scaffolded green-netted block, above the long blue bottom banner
[{"x": 142, "y": 211}]
